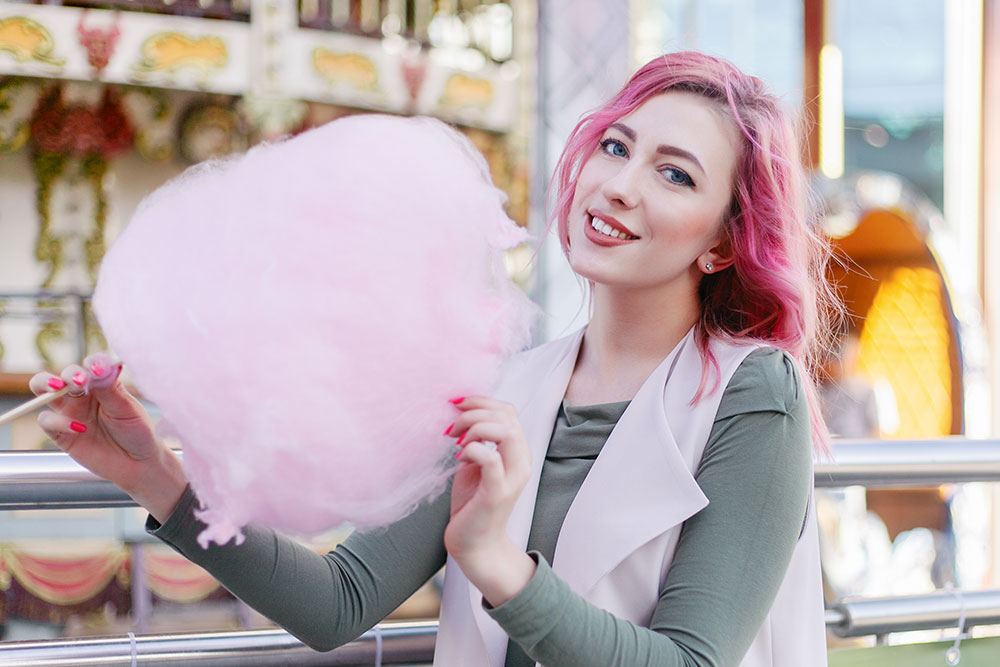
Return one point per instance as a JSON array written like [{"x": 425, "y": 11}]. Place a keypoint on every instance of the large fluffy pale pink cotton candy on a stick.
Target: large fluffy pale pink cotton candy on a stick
[{"x": 301, "y": 315}]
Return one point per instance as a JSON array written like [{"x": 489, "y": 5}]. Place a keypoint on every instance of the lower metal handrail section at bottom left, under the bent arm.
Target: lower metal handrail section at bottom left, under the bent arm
[{"x": 399, "y": 644}]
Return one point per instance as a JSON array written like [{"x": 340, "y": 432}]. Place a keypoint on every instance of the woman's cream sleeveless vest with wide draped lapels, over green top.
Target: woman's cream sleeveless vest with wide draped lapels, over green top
[{"x": 645, "y": 472}]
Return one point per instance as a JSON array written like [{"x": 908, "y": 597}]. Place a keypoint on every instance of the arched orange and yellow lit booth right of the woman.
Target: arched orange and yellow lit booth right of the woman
[{"x": 893, "y": 273}]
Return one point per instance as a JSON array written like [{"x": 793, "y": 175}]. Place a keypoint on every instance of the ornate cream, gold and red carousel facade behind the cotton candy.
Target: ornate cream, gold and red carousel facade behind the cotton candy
[{"x": 103, "y": 102}]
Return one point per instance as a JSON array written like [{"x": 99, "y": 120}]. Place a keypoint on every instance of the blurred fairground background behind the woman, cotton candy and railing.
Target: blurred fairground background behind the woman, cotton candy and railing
[{"x": 102, "y": 102}]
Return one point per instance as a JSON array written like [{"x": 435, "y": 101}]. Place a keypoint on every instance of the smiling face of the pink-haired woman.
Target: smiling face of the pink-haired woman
[{"x": 649, "y": 202}]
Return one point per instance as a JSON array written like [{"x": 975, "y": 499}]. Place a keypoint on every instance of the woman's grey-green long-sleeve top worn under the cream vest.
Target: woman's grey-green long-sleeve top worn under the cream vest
[{"x": 729, "y": 561}]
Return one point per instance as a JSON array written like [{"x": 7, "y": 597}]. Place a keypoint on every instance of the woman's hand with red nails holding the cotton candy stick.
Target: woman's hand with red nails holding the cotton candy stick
[{"x": 106, "y": 430}]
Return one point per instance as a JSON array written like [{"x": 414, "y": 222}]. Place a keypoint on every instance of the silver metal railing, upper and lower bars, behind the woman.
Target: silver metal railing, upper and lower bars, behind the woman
[{"x": 33, "y": 480}]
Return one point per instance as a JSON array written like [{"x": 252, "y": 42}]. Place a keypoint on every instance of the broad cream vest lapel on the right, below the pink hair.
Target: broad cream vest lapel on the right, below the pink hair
[{"x": 639, "y": 487}]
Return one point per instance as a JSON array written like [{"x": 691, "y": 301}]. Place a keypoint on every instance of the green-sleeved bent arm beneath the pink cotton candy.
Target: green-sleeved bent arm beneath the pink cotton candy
[{"x": 324, "y": 600}]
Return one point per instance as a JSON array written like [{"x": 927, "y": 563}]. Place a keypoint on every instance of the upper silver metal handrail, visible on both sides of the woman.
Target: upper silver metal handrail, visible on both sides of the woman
[{"x": 39, "y": 480}]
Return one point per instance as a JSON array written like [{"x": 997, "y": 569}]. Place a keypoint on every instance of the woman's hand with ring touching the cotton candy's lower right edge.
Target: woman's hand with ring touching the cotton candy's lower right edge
[{"x": 486, "y": 486}]
